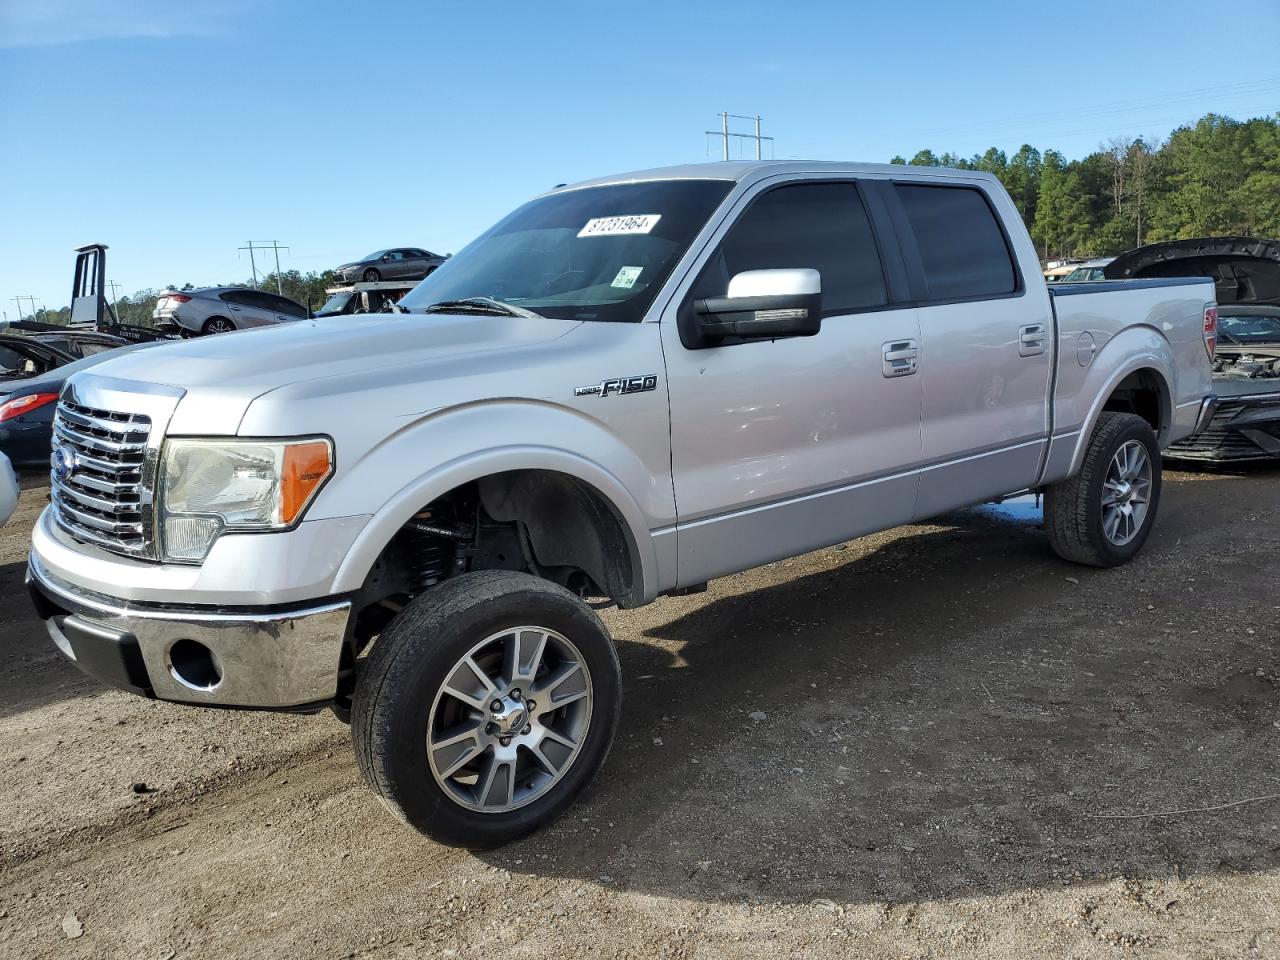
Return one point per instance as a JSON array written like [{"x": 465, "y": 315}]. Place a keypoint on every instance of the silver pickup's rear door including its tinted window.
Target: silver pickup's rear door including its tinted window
[{"x": 986, "y": 346}]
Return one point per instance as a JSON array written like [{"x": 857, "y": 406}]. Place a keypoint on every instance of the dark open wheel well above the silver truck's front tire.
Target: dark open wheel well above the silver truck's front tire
[{"x": 538, "y": 522}]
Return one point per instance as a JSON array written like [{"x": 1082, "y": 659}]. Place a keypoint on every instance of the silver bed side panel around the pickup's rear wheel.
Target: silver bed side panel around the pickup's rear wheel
[{"x": 1110, "y": 330}]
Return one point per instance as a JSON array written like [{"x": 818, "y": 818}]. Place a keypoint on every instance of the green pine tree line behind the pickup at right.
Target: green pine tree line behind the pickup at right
[{"x": 1218, "y": 177}]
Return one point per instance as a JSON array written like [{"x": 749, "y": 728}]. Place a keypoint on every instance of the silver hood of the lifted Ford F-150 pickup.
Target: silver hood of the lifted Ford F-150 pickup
[{"x": 223, "y": 374}]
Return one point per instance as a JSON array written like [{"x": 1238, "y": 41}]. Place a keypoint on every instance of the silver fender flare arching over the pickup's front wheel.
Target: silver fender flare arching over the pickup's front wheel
[{"x": 499, "y": 460}]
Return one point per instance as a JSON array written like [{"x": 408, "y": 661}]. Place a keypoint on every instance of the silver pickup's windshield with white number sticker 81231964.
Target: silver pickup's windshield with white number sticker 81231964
[{"x": 593, "y": 254}]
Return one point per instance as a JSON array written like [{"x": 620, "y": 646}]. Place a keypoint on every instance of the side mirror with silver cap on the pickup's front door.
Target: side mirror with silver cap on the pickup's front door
[{"x": 764, "y": 305}]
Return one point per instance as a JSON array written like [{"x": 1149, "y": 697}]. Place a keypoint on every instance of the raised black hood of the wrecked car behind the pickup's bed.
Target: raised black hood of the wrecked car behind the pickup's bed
[{"x": 1244, "y": 269}]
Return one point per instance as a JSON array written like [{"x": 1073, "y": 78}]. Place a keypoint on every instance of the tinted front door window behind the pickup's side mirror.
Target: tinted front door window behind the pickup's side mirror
[{"x": 819, "y": 226}]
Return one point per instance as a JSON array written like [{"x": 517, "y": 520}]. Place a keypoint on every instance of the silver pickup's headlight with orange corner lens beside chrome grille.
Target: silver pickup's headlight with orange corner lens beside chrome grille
[{"x": 209, "y": 487}]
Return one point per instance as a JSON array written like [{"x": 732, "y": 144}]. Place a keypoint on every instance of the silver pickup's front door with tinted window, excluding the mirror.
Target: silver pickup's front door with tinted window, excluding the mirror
[{"x": 780, "y": 447}]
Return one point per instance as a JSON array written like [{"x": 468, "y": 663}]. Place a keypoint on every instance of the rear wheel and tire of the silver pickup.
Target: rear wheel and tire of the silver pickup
[{"x": 1080, "y": 524}]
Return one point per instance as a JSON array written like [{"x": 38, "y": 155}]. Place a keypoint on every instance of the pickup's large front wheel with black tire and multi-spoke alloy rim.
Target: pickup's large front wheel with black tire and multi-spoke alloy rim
[{"x": 401, "y": 707}]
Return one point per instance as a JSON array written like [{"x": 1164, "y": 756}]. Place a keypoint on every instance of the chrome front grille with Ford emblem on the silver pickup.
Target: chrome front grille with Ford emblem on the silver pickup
[{"x": 102, "y": 478}]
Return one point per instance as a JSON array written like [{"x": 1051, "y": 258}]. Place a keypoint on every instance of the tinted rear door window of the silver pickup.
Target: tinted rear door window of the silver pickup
[{"x": 961, "y": 243}]
